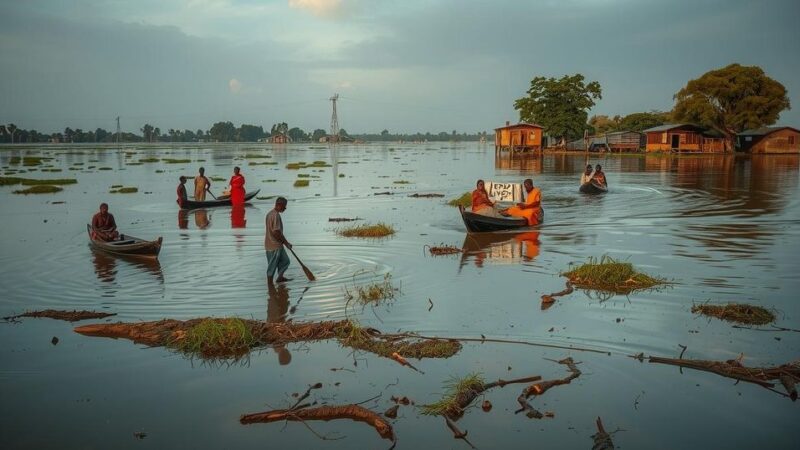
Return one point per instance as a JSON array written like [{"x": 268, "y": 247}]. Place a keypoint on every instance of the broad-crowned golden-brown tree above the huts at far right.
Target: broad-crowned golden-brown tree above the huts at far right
[{"x": 731, "y": 100}]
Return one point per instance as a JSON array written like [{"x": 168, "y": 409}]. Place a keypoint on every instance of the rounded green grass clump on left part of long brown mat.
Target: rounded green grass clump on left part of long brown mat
[{"x": 216, "y": 338}]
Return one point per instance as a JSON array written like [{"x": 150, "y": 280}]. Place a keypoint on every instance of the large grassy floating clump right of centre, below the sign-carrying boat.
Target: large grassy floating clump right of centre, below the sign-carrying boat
[{"x": 610, "y": 275}]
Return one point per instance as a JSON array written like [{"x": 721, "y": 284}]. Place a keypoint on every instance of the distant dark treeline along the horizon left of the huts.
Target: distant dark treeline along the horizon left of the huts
[{"x": 219, "y": 132}]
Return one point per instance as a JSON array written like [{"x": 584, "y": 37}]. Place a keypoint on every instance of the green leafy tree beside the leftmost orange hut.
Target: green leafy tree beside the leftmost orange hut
[{"x": 559, "y": 105}]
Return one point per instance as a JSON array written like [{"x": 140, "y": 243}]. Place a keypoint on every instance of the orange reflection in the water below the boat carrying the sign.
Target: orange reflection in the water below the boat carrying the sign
[{"x": 500, "y": 248}]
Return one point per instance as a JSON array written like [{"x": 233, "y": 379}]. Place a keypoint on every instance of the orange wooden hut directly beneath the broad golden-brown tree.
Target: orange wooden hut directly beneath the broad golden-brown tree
[{"x": 682, "y": 138}]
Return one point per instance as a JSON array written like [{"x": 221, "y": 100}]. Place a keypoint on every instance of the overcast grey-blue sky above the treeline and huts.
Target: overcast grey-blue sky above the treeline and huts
[{"x": 403, "y": 65}]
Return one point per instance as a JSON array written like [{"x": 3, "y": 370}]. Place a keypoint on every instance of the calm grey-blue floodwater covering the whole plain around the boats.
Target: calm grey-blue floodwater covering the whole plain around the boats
[{"x": 722, "y": 228}]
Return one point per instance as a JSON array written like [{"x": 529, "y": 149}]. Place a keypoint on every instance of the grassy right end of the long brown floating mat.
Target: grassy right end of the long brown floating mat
[{"x": 353, "y": 335}]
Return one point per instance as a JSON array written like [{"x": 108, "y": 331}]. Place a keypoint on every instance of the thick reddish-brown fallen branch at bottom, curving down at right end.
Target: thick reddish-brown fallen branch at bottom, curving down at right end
[{"x": 326, "y": 413}]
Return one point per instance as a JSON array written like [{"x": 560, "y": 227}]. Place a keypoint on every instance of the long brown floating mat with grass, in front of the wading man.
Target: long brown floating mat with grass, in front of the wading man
[{"x": 208, "y": 340}]
